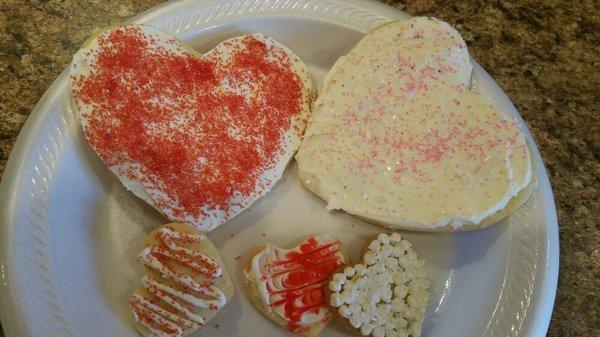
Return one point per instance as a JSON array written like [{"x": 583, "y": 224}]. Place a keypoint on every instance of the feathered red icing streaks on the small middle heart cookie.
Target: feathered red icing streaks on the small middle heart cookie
[{"x": 305, "y": 271}]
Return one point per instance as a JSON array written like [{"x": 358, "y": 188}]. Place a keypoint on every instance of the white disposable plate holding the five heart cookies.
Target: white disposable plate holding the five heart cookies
[{"x": 70, "y": 232}]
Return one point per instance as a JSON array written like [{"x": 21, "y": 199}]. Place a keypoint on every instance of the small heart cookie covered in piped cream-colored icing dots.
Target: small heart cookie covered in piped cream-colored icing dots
[{"x": 385, "y": 294}]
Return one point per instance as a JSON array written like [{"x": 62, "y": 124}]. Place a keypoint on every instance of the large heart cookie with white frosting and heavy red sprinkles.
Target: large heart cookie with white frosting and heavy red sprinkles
[{"x": 199, "y": 137}]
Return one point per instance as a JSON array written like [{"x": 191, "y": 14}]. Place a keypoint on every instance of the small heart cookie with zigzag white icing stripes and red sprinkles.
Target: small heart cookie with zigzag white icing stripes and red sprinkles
[{"x": 186, "y": 286}]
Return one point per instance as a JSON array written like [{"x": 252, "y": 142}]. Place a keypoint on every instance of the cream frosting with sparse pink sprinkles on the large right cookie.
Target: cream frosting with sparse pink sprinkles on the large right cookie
[{"x": 398, "y": 136}]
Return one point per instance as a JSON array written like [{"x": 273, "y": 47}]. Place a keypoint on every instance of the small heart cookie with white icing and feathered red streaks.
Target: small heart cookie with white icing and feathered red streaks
[{"x": 287, "y": 285}]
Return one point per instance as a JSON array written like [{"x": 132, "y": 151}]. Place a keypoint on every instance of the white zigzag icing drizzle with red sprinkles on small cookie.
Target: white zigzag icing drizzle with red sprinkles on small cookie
[{"x": 182, "y": 318}]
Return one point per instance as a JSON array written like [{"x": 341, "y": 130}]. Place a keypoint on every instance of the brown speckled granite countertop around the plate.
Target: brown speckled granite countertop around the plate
[{"x": 545, "y": 54}]
